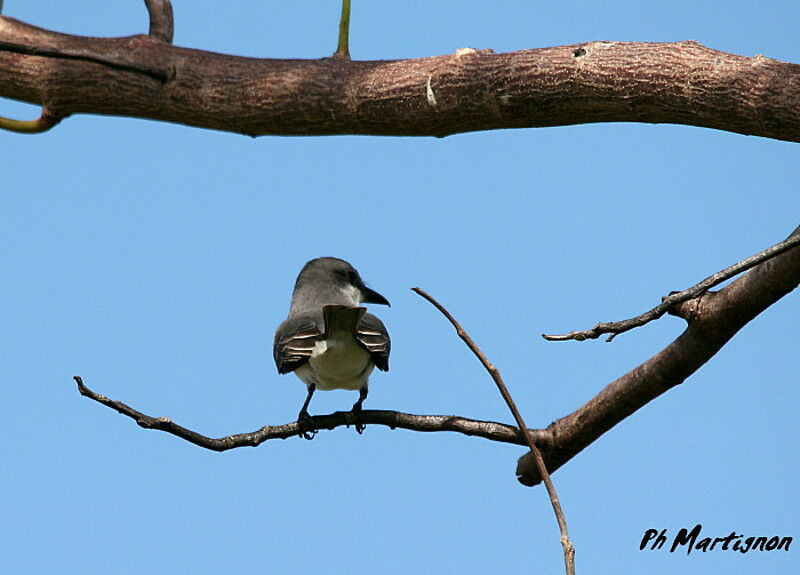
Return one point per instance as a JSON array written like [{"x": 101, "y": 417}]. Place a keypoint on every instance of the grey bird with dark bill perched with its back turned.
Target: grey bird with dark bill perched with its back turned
[{"x": 328, "y": 340}]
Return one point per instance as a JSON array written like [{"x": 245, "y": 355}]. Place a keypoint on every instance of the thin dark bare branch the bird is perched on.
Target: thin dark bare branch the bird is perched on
[{"x": 393, "y": 419}]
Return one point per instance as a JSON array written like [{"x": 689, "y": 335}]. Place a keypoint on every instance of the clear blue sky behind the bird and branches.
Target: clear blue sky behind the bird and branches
[{"x": 155, "y": 260}]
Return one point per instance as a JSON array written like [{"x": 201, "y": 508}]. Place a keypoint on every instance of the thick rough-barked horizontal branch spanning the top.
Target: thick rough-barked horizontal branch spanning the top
[{"x": 471, "y": 90}]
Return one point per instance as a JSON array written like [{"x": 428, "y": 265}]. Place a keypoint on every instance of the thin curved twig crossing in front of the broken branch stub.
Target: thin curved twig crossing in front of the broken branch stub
[{"x": 569, "y": 549}]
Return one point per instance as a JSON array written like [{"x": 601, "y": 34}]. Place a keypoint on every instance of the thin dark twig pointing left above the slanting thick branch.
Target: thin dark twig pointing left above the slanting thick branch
[{"x": 617, "y": 327}]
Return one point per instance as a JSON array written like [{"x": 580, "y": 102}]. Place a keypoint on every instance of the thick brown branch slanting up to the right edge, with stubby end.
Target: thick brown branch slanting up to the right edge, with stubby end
[{"x": 713, "y": 318}]
